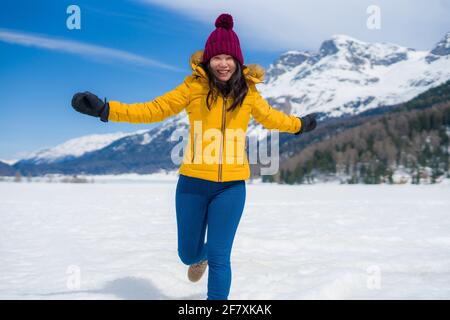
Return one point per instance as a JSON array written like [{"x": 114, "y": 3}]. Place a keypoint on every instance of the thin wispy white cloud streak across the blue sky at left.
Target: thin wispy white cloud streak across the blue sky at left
[{"x": 80, "y": 48}]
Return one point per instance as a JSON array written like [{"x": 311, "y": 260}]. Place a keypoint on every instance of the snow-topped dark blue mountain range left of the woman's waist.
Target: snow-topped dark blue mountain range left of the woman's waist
[{"x": 143, "y": 151}]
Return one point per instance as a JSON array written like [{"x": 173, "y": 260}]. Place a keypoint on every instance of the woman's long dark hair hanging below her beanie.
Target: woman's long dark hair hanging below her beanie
[{"x": 236, "y": 87}]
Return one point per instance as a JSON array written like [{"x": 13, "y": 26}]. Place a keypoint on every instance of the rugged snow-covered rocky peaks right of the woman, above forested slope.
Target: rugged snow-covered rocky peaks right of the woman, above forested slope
[{"x": 348, "y": 76}]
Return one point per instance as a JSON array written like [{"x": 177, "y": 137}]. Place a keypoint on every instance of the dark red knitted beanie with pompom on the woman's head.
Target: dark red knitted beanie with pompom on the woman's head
[{"x": 223, "y": 40}]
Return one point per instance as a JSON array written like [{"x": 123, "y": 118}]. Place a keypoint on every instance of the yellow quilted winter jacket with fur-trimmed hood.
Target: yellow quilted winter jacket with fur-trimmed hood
[{"x": 216, "y": 146}]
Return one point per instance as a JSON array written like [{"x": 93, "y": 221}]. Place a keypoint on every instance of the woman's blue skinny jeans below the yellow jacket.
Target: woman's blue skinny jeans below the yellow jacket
[{"x": 217, "y": 207}]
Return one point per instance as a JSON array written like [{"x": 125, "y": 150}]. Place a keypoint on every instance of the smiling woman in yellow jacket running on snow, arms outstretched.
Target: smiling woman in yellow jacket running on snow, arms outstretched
[{"x": 219, "y": 98}]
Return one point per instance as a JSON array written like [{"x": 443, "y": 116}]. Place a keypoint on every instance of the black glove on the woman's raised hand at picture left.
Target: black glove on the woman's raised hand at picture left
[{"x": 88, "y": 103}]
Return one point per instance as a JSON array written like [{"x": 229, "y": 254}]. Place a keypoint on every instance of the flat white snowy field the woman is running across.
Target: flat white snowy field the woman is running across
[{"x": 118, "y": 241}]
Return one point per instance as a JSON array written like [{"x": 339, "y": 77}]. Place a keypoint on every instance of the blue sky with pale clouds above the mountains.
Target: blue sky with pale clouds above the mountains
[{"x": 135, "y": 50}]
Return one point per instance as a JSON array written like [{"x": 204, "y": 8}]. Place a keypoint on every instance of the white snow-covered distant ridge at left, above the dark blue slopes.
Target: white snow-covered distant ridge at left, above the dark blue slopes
[{"x": 77, "y": 147}]
